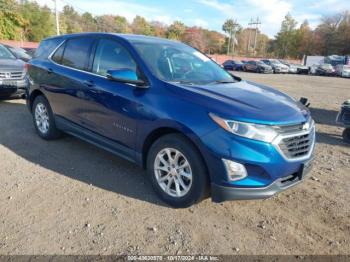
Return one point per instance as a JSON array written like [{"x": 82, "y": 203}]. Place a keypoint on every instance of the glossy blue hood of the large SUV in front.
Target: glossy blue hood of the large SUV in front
[{"x": 246, "y": 101}]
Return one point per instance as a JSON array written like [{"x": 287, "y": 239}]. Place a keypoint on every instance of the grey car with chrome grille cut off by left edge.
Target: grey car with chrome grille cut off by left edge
[{"x": 12, "y": 74}]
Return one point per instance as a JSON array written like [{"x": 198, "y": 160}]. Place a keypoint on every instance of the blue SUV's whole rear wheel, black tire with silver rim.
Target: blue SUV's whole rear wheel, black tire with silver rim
[{"x": 44, "y": 120}]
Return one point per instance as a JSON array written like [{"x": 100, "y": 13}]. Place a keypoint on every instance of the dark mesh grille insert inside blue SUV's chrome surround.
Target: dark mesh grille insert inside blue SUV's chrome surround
[{"x": 297, "y": 146}]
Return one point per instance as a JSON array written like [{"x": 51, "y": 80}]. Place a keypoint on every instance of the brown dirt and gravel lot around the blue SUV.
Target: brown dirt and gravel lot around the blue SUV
[{"x": 68, "y": 197}]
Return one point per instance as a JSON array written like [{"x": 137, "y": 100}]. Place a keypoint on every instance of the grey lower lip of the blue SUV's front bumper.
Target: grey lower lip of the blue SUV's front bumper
[{"x": 222, "y": 193}]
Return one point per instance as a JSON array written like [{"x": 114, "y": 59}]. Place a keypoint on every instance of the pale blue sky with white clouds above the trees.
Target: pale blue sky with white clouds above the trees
[{"x": 212, "y": 14}]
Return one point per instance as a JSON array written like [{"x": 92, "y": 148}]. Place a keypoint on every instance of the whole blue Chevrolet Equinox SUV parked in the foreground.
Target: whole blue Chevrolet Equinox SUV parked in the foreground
[{"x": 198, "y": 130}]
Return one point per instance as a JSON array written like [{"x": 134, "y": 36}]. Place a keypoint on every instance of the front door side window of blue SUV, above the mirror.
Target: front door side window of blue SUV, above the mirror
[{"x": 110, "y": 55}]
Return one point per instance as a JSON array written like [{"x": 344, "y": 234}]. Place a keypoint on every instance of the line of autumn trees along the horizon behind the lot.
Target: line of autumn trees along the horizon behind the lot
[{"x": 28, "y": 21}]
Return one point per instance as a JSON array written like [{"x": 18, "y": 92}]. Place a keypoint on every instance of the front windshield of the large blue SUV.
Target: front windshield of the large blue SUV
[{"x": 177, "y": 62}]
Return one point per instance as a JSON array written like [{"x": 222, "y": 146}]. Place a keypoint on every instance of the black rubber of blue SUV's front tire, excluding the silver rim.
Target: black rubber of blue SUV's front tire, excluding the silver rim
[{"x": 200, "y": 182}]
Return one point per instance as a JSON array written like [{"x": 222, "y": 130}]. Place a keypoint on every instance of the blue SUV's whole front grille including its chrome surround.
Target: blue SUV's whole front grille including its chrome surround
[{"x": 295, "y": 144}]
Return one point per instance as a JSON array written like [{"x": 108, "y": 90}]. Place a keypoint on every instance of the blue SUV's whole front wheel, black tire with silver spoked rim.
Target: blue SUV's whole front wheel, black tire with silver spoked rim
[{"x": 177, "y": 171}]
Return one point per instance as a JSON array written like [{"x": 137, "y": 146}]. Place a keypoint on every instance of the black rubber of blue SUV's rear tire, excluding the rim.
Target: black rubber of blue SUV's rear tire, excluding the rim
[{"x": 52, "y": 132}]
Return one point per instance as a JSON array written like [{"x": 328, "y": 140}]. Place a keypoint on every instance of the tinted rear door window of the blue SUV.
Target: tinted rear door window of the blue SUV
[{"x": 77, "y": 52}]
